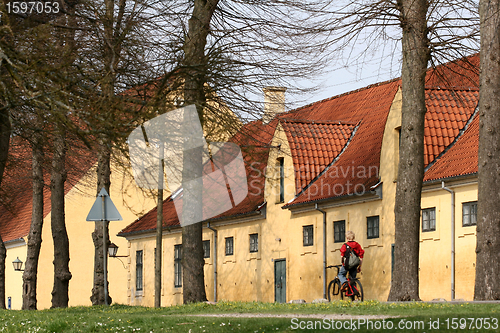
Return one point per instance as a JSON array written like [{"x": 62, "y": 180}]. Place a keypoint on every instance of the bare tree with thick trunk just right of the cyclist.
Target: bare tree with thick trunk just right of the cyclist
[{"x": 429, "y": 32}]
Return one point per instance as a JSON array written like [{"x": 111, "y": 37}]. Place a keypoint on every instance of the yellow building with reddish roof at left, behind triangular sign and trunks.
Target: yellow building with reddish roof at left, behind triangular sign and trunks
[{"x": 80, "y": 194}]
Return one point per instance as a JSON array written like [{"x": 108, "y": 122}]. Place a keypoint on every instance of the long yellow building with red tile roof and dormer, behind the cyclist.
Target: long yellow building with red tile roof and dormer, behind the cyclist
[{"x": 329, "y": 167}]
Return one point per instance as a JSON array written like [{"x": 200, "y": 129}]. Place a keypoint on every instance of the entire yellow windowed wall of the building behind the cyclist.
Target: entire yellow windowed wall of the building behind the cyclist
[{"x": 247, "y": 277}]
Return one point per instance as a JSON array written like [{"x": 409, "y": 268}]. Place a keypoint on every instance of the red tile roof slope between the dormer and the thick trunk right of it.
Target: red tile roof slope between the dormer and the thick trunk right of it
[{"x": 357, "y": 167}]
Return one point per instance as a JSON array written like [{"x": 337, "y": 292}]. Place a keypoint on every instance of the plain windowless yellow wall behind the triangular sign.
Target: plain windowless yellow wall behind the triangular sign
[{"x": 130, "y": 202}]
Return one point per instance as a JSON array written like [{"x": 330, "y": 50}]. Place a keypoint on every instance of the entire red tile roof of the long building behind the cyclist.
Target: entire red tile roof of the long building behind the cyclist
[{"x": 335, "y": 143}]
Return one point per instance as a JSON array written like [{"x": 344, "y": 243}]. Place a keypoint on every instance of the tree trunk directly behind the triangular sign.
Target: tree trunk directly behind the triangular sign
[{"x": 103, "y": 181}]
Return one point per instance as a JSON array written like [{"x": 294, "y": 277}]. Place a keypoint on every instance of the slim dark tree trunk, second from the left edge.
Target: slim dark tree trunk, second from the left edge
[{"x": 35, "y": 235}]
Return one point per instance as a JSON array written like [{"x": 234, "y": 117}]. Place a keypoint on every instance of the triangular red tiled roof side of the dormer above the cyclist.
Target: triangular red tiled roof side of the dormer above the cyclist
[{"x": 314, "y": 145}]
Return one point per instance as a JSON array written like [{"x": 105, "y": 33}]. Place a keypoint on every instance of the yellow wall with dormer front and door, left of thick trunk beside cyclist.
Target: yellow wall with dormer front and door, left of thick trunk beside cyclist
[{"x": 247, "y": 277}]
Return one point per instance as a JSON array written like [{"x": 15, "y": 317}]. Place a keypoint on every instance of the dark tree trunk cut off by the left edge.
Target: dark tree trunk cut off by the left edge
[{"x": 5, "y": 130}]
